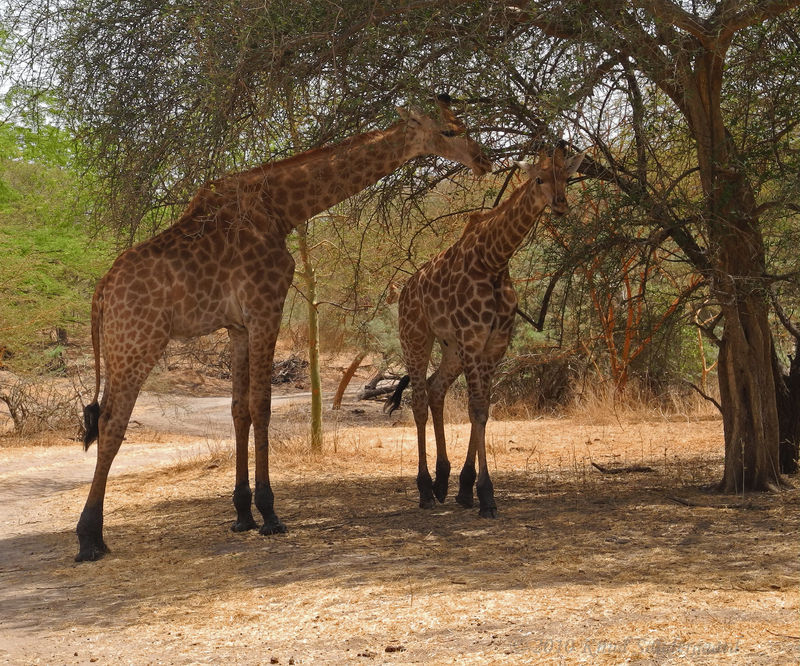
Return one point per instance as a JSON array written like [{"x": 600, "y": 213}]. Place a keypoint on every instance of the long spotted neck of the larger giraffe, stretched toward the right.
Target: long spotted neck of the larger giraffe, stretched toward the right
[{"x": 300, "y": 187}]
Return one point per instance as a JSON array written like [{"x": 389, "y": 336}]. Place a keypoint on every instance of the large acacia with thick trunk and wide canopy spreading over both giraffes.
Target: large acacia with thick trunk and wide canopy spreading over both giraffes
[{"x": 166, "y": 95}]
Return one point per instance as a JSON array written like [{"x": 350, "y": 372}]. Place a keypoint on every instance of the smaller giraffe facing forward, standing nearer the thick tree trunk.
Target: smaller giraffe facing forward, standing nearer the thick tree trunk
[{"x": 464, "y": 298}]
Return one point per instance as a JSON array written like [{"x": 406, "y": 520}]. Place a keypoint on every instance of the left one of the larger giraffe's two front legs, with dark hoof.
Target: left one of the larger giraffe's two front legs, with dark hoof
[{"x": 240, "y": 411}]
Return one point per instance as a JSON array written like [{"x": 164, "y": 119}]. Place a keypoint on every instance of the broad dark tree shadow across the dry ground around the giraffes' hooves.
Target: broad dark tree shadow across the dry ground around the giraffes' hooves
[{"x": 367, "y": 532}]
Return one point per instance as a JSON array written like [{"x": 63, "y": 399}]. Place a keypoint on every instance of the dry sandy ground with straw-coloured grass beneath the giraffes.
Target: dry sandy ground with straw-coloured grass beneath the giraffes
[{"x": 579, "y": 567}]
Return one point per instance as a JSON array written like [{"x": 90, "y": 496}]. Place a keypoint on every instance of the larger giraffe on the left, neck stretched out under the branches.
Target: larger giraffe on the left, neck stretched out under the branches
[{"x": 224, "y": 264}]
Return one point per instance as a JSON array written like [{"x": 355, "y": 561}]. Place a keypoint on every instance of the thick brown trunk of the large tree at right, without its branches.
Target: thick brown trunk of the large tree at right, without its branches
[{"x": 737, "y": 262}]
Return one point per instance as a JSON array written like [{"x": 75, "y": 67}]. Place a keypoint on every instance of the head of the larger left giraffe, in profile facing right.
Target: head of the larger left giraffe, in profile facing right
[{"x": 445, "y": 137}]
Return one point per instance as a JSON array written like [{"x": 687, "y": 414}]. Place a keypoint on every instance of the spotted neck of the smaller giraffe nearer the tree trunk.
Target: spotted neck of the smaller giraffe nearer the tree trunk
[{"x": 507, "y": 226}]
